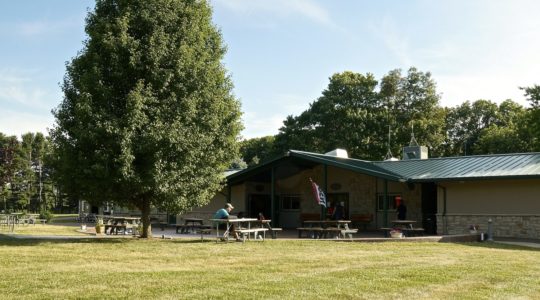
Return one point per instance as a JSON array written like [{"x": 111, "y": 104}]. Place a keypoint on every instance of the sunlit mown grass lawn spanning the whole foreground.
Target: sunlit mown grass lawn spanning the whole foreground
[{"x": 274, "y": 269}]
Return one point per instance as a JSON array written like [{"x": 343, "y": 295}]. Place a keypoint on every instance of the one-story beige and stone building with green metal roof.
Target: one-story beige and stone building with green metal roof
[{"x": 443, "y": 195}]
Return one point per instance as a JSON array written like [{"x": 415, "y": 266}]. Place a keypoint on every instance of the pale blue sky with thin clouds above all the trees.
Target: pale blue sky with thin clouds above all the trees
[{"x": 281, "y": 53}]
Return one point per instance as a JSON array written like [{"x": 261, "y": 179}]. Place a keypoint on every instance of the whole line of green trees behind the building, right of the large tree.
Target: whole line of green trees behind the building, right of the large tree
[{"x": 372, "y": 119}]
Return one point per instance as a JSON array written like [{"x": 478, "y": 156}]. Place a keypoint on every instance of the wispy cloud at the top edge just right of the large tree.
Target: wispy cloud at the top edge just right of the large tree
[{"x": 282, "y": 8}]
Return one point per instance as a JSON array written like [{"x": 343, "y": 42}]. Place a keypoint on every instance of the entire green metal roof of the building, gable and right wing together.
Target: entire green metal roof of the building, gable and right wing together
[{"x": 523, "y": 165}]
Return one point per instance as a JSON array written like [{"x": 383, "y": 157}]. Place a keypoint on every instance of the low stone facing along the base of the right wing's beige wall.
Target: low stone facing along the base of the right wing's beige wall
[{"x": 519, "y": 226}]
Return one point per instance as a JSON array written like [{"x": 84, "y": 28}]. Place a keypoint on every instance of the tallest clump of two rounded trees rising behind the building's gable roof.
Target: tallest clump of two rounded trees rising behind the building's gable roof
[{"x": 355, "y": 113}]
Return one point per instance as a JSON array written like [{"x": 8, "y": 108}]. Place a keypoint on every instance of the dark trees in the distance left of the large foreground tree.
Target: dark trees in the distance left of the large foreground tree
[{"x": 26, "y": 176}]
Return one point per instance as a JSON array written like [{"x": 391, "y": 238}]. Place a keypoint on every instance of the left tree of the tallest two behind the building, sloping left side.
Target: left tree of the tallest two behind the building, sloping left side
[{"x": 343, "y": 117}]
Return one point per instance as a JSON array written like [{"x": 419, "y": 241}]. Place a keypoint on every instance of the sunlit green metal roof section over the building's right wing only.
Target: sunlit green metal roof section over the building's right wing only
[{"x": 521, "y": 165}]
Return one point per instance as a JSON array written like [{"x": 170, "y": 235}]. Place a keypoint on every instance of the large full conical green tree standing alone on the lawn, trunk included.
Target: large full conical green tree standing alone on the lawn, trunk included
[{"x": 148, "y": 116}]
